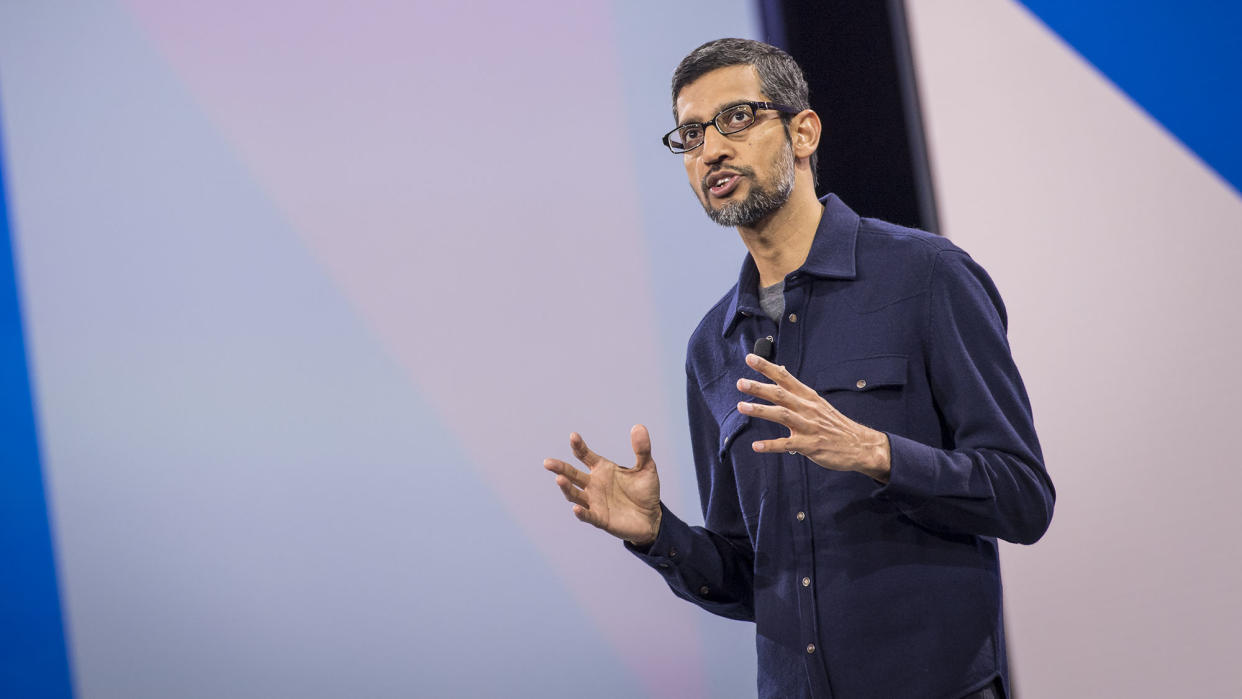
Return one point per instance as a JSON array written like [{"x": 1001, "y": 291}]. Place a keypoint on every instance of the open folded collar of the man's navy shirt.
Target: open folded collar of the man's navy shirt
[{"x": 832, "y": 258}]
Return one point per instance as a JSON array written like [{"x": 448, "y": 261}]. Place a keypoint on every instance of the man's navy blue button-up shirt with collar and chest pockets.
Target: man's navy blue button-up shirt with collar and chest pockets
[{"x": 860, "y": 589}]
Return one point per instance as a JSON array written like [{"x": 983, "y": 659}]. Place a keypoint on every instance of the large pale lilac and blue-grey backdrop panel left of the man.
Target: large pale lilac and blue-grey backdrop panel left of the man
[{"x": 310, "y": 292}]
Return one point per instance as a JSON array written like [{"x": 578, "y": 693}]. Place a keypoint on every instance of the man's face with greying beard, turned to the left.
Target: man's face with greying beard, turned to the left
[{"x": 740, "y": 178}]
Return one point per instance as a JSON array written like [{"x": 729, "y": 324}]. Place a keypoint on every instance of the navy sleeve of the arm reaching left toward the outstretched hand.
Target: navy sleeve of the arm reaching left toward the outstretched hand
[{"x": 714, "y": 566}]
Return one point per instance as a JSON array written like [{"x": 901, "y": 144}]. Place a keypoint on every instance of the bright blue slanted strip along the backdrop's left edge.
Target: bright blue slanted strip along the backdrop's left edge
[{"x": 34, "y": 662}]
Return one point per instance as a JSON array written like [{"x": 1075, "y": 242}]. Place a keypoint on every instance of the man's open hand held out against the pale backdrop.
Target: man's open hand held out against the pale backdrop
[{"x": 624, "y": 502}]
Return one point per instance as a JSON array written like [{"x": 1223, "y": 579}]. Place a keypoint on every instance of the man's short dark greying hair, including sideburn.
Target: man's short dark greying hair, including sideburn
[{"x": 781, "y": 78}]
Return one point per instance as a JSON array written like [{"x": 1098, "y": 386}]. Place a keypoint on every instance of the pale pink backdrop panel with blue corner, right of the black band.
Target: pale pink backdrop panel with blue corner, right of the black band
[{"x": 1089, "y": 157}]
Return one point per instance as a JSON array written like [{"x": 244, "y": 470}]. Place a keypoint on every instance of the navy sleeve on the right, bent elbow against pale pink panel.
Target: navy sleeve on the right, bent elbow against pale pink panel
[{"x": 992, "y": 482}]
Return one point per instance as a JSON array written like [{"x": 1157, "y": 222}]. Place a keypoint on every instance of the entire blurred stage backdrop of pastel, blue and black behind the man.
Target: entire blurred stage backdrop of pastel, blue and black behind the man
[{"x": 297, "y": 299}]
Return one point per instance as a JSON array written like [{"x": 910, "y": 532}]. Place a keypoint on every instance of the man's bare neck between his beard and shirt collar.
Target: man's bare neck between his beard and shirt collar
[{"x": 781, "y": 243}]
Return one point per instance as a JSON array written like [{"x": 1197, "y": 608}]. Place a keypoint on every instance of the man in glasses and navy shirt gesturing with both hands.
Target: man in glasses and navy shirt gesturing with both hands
[{"x": 854, "y": 486}]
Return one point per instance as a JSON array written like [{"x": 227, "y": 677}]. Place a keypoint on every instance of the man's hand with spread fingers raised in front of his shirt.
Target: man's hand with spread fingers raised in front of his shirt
[{"x": 817, "y": 430}]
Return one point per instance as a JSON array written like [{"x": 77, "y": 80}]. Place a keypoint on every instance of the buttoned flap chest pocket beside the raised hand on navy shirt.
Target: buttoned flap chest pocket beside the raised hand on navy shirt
[{"x": 869, "y": 390}]
